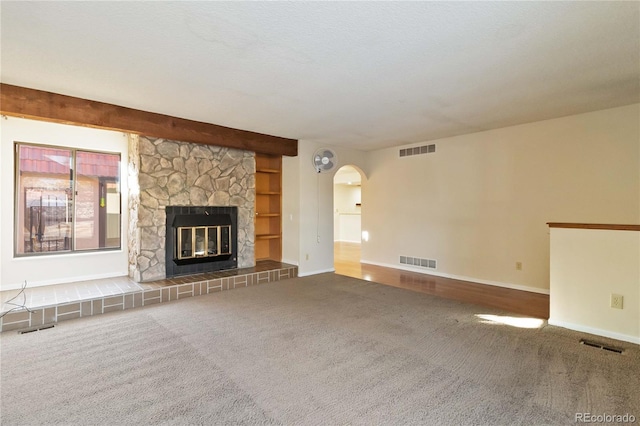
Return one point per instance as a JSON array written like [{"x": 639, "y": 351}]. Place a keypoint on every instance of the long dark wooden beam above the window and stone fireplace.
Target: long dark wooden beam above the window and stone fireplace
[{"x": 22, "y": 102}]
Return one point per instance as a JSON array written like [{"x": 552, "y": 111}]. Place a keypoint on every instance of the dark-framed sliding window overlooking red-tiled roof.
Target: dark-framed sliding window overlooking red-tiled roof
[{"x": 66, "y": 200}]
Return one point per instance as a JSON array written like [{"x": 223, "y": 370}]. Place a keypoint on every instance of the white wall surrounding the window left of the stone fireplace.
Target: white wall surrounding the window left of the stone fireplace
[{"x": 59, "y": 268}]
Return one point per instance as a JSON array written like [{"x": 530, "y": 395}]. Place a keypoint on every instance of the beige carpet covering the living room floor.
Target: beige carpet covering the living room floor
[{"x": 323, "y": 350}]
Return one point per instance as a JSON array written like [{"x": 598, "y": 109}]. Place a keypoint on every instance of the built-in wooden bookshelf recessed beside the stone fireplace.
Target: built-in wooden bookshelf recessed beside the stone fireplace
[{"x": 268, "y": 207}]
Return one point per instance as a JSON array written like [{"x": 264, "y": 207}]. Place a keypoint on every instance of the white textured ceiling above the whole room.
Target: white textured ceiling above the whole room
[{"x": 360, "y": 74}]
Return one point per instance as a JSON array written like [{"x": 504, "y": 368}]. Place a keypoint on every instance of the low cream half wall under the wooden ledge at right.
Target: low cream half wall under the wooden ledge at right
[{"x": 587, "y": 266}]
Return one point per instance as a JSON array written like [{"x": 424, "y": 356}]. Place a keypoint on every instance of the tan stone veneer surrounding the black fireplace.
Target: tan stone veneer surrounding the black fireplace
[{"x": 172, "y": 173}]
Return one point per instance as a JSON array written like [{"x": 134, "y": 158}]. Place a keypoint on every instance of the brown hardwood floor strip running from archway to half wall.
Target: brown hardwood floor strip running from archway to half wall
[{"x": 347, "y": 262}]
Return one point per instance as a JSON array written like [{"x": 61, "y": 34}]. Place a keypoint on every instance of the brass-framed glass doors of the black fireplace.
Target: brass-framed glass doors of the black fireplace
[{"x": 203, "y": 241}]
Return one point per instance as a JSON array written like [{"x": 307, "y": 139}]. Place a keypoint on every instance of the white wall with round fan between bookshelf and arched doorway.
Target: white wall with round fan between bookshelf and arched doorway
[{"x": 314, "y": 201}]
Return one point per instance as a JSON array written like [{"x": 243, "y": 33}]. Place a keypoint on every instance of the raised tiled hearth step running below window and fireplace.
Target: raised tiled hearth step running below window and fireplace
[{"x": 52, "y": 304}]
